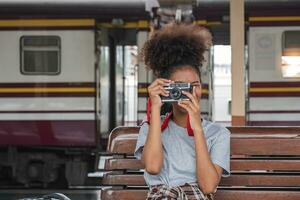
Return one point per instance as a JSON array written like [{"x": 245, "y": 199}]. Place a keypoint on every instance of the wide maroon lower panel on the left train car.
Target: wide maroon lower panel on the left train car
[{"x": 48, "y": 132}]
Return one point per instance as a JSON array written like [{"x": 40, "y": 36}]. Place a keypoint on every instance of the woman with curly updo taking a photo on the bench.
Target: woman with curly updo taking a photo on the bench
[{"x": 185, "y": 158}]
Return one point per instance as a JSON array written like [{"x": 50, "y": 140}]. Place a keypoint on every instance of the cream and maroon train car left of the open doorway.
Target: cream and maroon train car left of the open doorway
[{"x": 47, "y": 98}]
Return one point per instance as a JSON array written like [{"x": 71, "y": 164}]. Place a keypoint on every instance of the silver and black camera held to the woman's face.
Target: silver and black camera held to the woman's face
[{"x": 175, "y": 92}]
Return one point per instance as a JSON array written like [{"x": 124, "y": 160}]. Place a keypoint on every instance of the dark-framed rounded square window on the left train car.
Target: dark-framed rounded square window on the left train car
[{"x": 40, "y": 55}]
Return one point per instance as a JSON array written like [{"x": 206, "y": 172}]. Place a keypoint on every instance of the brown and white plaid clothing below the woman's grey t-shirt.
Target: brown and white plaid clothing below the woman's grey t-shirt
[{"x": 189, "y": 191}]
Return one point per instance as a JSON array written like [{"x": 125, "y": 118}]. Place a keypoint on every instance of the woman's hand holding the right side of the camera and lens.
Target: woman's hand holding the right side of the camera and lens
[{"x": 192, "y": 106}]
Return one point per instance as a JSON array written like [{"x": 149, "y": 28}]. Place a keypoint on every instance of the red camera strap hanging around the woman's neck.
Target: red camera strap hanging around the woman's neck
[{"x": 167, "y": 119}]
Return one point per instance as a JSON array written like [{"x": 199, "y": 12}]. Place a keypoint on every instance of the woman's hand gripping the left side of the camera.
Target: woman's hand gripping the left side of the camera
[{"x": 155, "y": 89}]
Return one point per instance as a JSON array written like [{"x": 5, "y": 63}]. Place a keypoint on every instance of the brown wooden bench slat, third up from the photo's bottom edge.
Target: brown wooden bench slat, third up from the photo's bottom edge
[{"x": 235, "y": 164}]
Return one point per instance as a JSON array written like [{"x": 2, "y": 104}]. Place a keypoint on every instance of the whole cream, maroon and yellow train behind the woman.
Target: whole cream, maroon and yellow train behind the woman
[{"x": 70, "y": 73}]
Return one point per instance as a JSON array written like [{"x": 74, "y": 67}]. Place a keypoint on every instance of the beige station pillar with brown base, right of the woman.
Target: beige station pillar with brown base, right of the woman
[{"x": 237, "y": 41}]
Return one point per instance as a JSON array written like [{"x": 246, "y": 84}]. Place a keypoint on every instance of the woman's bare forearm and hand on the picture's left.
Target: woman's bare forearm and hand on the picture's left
[{"x": 152, "y": 156}]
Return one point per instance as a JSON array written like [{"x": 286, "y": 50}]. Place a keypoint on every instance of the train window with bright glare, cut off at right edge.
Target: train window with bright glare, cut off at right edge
[{"x": 290, "y": 59}]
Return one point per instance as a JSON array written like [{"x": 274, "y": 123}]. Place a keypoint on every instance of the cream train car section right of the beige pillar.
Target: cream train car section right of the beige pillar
[{"x": 274, "y": 71}]
